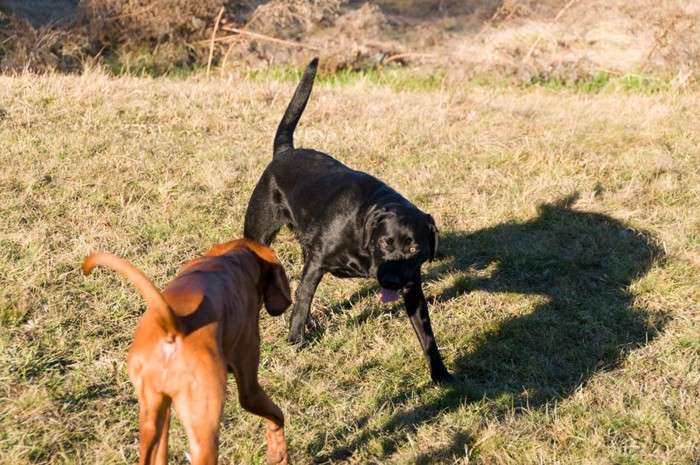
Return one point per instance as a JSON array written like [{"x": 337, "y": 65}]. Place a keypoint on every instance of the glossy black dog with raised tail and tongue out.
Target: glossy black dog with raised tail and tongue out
[{"x": 349, "y": 224}]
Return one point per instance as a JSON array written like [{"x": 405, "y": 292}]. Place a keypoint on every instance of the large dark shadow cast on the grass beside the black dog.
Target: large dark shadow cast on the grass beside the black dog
[{"x": 585, "y": 319}]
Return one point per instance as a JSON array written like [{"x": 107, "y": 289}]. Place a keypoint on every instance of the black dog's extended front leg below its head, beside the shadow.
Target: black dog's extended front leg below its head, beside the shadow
[{"x": 417, "y": 309}]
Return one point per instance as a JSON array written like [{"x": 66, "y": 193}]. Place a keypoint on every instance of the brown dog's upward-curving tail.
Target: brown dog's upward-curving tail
[{"x": 162, "y": 312}]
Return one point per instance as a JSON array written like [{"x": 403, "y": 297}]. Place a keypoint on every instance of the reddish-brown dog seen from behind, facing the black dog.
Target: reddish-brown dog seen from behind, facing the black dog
[{"x": 202, "y": 325}]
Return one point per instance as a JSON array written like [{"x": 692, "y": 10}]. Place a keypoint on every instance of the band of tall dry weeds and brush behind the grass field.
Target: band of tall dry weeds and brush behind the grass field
[{"x": 526, "y": 40}]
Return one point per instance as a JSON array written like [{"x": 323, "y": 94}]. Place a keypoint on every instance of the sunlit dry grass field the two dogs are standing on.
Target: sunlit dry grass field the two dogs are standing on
[{"x": 565, "y": 295}]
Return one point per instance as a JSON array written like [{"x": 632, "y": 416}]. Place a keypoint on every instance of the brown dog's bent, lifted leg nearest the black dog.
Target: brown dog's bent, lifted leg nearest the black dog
[{"x": 252, "y": 398}]
